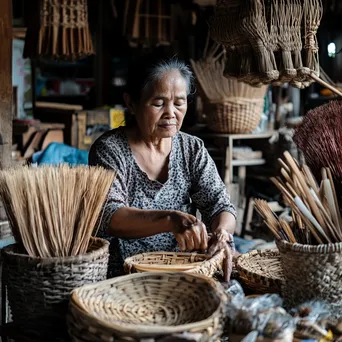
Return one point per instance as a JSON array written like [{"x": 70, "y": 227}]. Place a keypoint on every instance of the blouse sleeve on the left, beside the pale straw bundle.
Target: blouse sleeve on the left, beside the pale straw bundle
[{"x": 101, "y": 155}]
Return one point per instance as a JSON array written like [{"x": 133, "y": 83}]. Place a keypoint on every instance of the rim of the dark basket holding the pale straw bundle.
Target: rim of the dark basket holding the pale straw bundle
[{"x": 8, "y": 251}]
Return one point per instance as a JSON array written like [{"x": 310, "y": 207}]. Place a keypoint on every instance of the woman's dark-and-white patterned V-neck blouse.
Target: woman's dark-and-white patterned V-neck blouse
[{"x": 193, "y": 182}]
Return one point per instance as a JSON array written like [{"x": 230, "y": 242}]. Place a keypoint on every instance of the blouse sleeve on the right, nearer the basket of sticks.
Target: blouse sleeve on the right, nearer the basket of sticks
[{"x": 208, "y": 192}]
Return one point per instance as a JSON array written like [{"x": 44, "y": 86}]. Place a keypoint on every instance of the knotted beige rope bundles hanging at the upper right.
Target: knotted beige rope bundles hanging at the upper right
[{"x": 281, "y": 34}]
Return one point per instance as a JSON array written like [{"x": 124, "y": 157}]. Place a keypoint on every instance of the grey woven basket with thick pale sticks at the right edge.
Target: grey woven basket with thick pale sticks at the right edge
[{"x": 310, "y": 245}]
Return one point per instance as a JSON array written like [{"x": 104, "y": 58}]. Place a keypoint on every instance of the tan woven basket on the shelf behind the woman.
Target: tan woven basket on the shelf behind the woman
[{"x": 236, "y": 115}]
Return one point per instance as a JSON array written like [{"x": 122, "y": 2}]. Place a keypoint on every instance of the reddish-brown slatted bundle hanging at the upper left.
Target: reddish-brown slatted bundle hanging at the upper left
[{"x": 62, "y": 31}]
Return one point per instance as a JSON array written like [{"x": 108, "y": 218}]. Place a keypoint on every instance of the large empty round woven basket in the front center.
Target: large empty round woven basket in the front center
[{"x": 151, "y": 306}]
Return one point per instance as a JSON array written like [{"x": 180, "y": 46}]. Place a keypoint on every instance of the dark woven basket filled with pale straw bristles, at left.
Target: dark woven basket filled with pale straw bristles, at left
[{"x": 53, "y": 212}]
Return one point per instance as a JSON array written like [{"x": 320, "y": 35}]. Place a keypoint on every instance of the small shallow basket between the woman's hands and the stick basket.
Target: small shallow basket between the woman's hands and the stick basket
[{"x": 261, "y": 271}]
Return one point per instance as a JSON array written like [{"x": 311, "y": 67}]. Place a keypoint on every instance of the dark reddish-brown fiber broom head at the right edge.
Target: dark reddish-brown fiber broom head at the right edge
[{"x": 319, "y": 137}]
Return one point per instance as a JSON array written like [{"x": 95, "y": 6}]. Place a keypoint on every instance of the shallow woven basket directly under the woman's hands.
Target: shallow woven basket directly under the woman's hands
[{"x": 175, "y": 262}]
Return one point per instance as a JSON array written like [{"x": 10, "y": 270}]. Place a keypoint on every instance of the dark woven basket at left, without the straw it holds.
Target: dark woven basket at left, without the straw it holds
[{"x": 39, "y": 289}]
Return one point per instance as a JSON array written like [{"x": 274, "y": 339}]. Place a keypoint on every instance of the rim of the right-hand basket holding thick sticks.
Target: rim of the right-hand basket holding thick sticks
[{"x": 310, "y": 249}]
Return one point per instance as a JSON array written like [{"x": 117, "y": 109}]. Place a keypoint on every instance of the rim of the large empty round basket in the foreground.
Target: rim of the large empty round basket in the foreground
[{"x": 141, "y": 329}]
